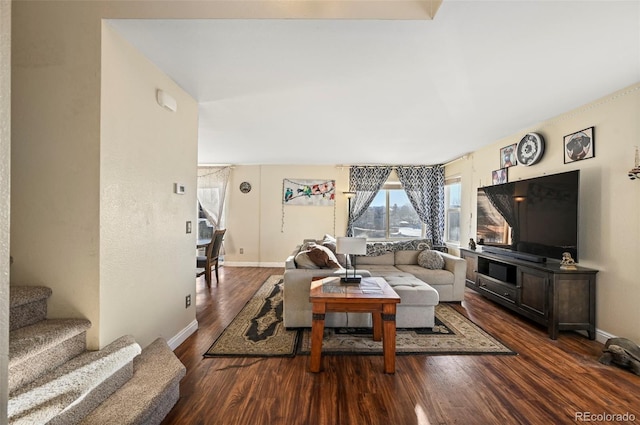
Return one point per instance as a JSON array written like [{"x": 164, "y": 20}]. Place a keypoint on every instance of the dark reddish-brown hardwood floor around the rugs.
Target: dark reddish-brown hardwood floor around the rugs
[{"x": 548, "y": 382}]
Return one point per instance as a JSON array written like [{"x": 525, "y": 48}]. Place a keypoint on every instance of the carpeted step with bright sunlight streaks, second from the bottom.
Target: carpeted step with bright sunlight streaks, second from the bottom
[{"x": 68, "y": 393}]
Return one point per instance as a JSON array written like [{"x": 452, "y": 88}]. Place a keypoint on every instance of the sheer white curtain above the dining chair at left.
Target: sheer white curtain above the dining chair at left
[{"x": 212, "y": 189}]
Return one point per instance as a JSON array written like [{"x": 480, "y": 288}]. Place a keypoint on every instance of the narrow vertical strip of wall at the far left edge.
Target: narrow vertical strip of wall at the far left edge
[{"x": 5, "y": 177}]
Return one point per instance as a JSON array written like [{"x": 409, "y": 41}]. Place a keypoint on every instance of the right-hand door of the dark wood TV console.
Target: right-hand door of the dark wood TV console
[{"x": 533, "y": 291}]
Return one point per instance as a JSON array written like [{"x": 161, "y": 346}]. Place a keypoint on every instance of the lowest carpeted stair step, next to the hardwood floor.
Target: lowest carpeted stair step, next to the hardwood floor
[{"x": 149, "y": 396}]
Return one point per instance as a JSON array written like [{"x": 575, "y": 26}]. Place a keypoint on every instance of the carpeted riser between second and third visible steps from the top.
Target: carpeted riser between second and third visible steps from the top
[{"x": 28, "y": 371}]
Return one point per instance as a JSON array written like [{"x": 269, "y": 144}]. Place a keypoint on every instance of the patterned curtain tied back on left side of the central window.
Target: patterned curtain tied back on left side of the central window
[{"x": 365, "y": 182}]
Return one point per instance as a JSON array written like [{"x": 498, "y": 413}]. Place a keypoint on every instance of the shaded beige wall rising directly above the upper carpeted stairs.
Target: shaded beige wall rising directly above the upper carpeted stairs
[{"x": 55, "y": 157}]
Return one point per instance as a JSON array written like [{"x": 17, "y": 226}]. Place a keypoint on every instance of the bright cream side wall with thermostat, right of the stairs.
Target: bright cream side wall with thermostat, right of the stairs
[{"x": 146, "y": 258}]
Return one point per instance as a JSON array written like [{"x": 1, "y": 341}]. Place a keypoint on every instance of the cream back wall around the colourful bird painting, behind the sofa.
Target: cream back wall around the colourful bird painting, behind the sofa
[{"x": 258, "y": 223}]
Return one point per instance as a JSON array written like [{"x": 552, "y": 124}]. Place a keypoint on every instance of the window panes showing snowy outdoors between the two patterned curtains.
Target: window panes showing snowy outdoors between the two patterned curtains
[{"x": 390, "y": 216}]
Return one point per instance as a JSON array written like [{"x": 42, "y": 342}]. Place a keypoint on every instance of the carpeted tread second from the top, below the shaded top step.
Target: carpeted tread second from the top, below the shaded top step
[{"x": 30, "y": 341}]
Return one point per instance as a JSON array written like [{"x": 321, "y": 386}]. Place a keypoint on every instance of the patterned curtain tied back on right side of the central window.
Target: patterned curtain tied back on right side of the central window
[{"x": 424, "y": 186}]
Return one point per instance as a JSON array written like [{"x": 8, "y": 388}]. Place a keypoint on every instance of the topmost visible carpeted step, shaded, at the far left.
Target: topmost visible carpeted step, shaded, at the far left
[{"x": 27, "y": 305}]
